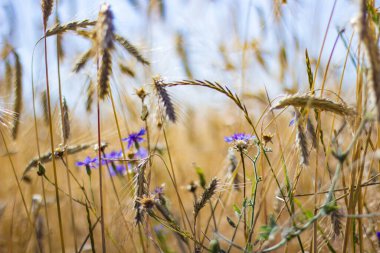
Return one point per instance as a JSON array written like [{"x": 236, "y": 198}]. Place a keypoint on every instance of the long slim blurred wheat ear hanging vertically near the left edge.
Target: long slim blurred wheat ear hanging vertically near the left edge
[{"x": 17, "y": 107}]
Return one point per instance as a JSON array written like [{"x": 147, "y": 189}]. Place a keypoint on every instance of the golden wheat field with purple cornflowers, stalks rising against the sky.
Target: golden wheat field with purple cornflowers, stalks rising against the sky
[{"x": 312, "y": 186}]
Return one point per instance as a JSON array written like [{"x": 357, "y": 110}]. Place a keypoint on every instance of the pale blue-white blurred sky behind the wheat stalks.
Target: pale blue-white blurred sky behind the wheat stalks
[{"x": 205, "y": 25}]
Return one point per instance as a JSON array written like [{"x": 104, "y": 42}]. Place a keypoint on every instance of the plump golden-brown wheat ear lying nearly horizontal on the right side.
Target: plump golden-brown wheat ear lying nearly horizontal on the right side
[{"x": 322, "y": 104}]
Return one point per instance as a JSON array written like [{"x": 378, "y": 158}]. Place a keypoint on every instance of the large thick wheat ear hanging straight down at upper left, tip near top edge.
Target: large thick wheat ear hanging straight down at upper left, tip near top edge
[{"x": 104, "y": 39}]
